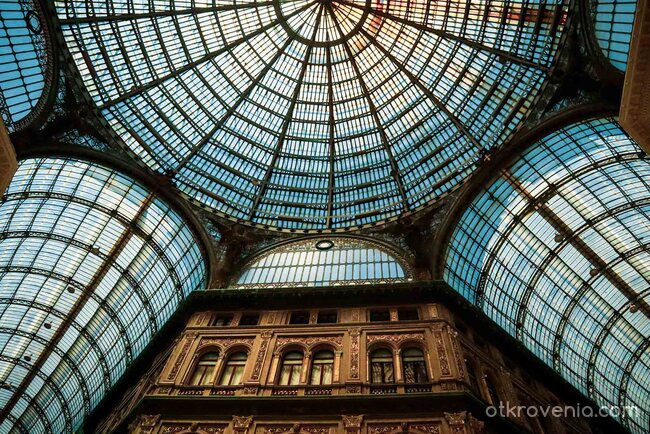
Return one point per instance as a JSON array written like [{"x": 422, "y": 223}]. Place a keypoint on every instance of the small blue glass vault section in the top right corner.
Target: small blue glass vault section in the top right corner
[{"x": 613, "y": 23}]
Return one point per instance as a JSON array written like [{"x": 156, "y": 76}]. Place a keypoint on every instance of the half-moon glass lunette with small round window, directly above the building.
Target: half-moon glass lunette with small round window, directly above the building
[{"x": 323, "y": 262}]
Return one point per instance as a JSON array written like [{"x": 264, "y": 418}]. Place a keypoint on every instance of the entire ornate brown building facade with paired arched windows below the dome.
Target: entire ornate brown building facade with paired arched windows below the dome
[{"x": 375, "y": 368}]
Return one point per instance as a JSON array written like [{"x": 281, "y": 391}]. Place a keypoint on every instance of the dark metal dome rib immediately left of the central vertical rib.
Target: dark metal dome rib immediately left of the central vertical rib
[{"x": 288, "y": 118}]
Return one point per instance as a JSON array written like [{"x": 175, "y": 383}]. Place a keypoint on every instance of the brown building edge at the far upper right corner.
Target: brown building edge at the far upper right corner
[{"x": 635, "y": 106}]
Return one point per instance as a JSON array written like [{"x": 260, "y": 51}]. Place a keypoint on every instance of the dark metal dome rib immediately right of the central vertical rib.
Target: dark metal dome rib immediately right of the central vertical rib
[{"x": 395, "y": 170}]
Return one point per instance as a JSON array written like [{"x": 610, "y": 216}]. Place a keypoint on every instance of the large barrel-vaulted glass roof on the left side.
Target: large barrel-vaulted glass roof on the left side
[{"x": 91, "y": 266}]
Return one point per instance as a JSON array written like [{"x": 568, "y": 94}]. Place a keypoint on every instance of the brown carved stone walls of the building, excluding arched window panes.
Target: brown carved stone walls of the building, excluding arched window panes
[{"x": 461, "y": 370}]
